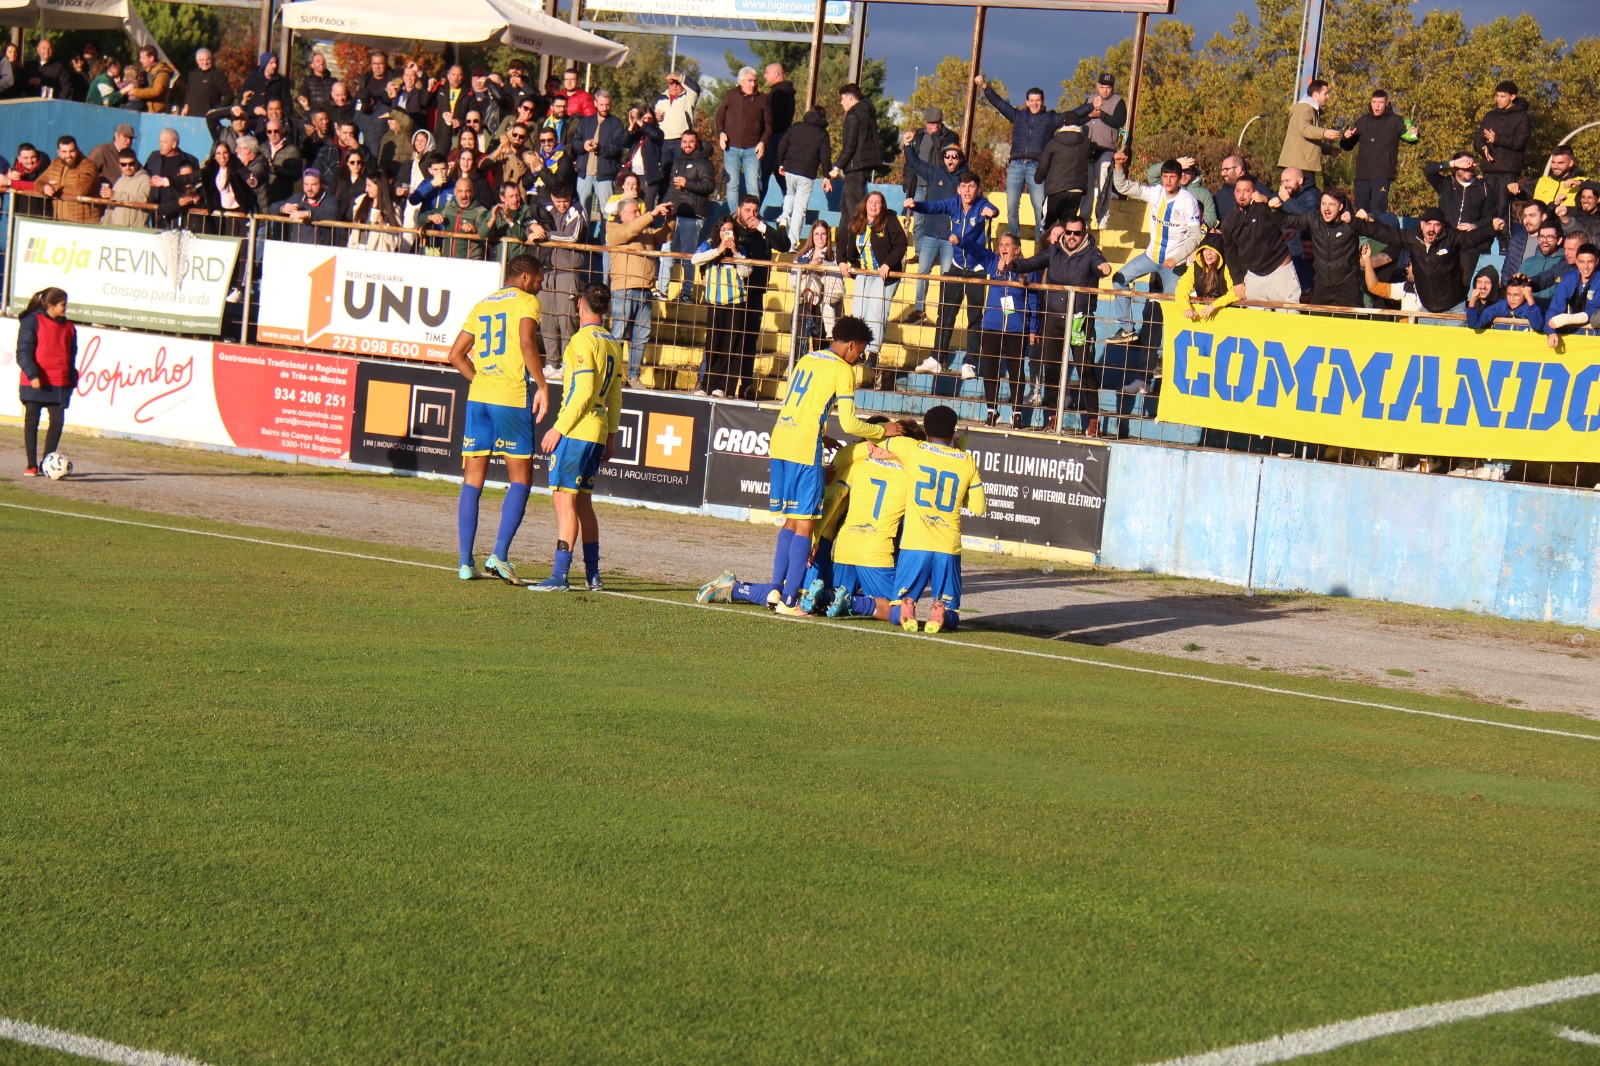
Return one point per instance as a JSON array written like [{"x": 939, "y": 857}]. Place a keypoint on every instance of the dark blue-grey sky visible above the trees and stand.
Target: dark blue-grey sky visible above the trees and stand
[{"x": 1026, "y": 47}]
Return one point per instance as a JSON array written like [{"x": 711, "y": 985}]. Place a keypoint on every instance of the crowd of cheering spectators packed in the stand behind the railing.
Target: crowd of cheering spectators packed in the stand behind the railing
[{"x": 455, "y": 164}]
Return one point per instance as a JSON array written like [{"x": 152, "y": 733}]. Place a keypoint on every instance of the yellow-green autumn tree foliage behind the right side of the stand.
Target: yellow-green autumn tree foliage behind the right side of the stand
[{"x": 1439, "y": 73}]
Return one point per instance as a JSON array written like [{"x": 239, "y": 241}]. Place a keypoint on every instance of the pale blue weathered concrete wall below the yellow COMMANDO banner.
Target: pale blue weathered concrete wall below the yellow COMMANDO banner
[{"x": 1516, "y": 551}]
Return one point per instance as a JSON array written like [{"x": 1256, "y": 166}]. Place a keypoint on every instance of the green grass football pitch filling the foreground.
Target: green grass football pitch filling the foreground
[{"x": 271, "y": 806}]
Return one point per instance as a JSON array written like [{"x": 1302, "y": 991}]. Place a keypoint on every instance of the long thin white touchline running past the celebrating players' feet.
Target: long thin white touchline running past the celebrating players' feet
[{"x": 884, "y": 631}]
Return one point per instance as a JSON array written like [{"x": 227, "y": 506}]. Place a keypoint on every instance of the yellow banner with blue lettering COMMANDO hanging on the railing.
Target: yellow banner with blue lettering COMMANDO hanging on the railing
[{"x": 1385, "y": 387}]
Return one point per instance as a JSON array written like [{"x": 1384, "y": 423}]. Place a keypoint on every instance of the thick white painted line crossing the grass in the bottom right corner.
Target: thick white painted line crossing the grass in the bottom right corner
[{"x": 1282, "y": 1049}]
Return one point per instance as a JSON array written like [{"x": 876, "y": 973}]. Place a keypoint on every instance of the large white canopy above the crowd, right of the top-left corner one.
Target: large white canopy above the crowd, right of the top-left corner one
[{"x": 394, "y": 23}]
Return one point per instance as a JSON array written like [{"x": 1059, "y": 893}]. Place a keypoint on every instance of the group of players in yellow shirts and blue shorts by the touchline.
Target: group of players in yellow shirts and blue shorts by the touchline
[{"x": 863, "y": 535}]
